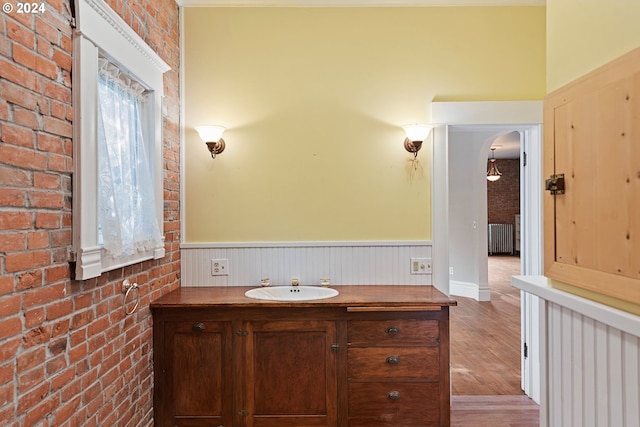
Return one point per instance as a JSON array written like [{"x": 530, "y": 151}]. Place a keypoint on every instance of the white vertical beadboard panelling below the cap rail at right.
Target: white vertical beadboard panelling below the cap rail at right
[{"x": 593, "y": 372}]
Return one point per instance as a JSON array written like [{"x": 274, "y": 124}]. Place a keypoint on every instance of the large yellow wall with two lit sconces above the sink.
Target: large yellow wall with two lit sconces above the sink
[{"x": 313, "y": 99}]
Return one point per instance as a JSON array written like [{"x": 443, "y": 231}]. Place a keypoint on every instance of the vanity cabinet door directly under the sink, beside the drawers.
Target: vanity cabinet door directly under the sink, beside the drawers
[{"x": 290, "y": 370}]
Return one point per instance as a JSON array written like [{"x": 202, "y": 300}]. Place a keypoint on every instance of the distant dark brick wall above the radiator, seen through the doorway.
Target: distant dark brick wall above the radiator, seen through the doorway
[{"x": 503, "y": 195}]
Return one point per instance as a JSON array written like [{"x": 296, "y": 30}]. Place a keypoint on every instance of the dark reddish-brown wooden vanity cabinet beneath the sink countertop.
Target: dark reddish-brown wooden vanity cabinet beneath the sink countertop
[{"x": 300, "y": 366}]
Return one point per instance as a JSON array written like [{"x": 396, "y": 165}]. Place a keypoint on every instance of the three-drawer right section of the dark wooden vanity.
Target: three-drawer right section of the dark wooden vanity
[{"x": 398, "y": 369}]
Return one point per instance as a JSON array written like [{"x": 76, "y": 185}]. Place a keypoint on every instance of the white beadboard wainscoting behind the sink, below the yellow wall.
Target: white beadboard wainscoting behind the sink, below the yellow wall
[{"x": 345, "y": 263}]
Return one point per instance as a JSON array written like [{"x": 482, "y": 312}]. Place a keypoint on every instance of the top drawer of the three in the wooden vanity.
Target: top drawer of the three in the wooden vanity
[{"x": 393, "y": 332}]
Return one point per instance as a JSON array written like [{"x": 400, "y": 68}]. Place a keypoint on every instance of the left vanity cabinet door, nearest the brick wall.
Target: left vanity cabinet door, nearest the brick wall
[{"x": 197, "y": 374}]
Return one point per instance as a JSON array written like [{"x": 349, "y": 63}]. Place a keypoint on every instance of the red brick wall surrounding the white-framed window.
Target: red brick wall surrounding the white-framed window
[{"x": 68, "y": 354}]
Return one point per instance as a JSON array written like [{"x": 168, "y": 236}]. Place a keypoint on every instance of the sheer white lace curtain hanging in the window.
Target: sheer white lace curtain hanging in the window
[{"x": 126, "y": 200}]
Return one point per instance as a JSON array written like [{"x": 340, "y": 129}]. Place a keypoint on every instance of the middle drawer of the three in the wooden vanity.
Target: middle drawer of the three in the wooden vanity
[{"x": 393, "y": 362}]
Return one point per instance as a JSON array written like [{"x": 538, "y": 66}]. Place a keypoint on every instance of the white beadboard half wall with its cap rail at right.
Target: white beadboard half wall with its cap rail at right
[{"x": 590, "y": 360}]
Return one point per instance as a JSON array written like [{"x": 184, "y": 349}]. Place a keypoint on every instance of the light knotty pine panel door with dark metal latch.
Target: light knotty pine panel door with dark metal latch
[{"x": 592, "y": 136}]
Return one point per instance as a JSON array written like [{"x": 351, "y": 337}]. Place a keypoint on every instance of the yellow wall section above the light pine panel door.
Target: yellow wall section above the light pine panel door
[{"x": 584, "y": 34}]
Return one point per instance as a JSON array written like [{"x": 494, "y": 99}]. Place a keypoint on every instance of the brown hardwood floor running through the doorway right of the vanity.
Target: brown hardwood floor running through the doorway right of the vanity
[{"x": 485, "y": 355}]
